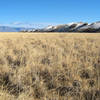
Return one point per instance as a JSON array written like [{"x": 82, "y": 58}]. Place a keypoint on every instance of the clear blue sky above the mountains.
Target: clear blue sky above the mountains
[{"x": 48, "y": 11}]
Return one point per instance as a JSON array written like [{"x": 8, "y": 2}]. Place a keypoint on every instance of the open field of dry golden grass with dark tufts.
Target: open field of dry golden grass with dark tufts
[{"x": 49, "y": 66}]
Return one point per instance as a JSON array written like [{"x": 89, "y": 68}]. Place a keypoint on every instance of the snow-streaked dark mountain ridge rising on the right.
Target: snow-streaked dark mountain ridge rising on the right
[{"x": 72, "y": 27}]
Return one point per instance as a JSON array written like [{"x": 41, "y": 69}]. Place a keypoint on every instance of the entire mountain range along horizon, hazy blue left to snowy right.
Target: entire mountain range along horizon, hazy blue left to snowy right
[{"x": 70, "y": 27}]
